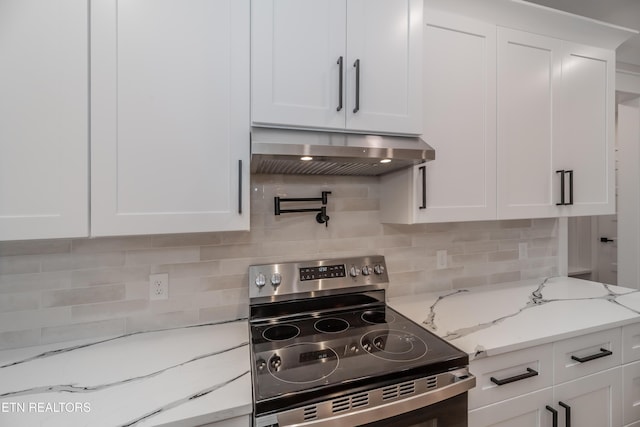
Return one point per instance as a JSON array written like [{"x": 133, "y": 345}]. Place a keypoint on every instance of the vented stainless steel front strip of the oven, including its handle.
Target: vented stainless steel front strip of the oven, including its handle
[{"x": 375, "y": 405}]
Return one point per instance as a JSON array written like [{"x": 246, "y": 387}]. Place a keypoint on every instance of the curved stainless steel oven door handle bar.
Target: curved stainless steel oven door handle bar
[{"x": 382, "y": 411}]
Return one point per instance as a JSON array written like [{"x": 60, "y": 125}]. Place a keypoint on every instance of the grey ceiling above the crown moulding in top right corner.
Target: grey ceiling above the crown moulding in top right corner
[{"x": 625, "y": 13}]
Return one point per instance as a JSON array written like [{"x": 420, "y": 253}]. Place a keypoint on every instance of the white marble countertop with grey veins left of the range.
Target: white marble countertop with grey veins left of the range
[{"x": 176, "y": 377}]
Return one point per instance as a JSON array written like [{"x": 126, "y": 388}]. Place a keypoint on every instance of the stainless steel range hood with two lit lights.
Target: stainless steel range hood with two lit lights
[{"x": 282, "y": 151}]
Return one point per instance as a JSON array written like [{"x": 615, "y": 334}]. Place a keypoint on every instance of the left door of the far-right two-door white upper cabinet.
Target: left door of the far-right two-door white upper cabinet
[{"x": 528, "y": 84}]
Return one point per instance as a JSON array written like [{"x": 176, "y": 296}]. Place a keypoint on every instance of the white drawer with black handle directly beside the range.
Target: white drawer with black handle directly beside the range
[{"x": 520, "y": 372}]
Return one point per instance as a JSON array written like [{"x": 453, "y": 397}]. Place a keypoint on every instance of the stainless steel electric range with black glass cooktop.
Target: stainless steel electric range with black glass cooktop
[{"x": 327, "y": 351}]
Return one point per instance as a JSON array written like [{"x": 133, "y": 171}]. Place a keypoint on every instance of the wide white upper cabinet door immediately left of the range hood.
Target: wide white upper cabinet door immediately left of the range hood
[{"x": 170, "y": 116}]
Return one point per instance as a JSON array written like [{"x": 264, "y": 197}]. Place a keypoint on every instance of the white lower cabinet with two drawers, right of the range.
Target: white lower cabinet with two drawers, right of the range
[{"x": 578, "y": 381}]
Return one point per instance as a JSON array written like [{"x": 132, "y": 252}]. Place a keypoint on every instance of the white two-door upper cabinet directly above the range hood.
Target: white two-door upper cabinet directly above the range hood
[{"x": 337, "y": 64}]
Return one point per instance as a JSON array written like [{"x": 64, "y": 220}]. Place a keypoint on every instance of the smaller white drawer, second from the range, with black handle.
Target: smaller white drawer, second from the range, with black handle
[{"x": 587, "y": 354}]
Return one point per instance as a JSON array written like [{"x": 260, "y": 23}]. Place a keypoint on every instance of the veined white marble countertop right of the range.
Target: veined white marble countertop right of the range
[{"x": 491, "y": 320}]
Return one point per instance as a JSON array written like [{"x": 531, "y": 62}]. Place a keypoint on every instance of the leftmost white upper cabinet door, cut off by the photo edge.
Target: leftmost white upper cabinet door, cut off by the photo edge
[{"x": 44, "y": 137}]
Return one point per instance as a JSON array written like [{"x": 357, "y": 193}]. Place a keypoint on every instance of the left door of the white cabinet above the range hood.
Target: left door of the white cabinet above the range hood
[{"x": 298, "y": 51}]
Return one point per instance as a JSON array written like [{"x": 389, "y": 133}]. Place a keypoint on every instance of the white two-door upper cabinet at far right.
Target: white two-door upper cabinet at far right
[{"x": 555, "y": 127}]
